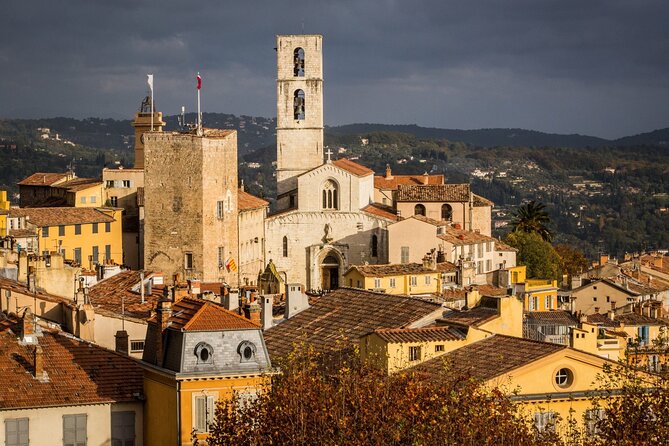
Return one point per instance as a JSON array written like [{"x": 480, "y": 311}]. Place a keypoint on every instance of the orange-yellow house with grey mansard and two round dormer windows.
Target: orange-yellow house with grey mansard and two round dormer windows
[{"x": 198, "y": 353}]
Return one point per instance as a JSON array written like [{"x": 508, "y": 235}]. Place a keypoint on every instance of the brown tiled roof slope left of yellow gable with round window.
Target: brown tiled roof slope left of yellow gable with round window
[{"x": 490, "y": 357}]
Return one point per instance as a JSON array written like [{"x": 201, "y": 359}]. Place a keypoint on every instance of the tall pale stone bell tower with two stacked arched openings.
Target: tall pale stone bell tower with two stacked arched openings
[{"x": 299, "y": 128}]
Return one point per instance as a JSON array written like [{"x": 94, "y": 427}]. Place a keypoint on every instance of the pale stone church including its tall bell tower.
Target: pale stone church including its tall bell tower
[{"x": 326, "y": 219}]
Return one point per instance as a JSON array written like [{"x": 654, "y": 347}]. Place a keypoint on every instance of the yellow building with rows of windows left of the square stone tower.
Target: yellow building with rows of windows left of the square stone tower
[{"x": 86, "y": 236}]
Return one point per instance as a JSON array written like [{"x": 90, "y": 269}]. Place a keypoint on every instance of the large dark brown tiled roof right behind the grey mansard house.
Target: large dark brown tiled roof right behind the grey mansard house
[{"x": 342, "y": 317}]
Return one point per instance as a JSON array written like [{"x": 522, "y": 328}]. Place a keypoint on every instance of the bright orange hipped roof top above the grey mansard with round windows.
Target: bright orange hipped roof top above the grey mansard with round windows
[{"x": 190, "y": 314}]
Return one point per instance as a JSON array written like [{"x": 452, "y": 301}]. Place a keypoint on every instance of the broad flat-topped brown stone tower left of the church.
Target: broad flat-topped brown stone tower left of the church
[{"x": 190, "y": 211}]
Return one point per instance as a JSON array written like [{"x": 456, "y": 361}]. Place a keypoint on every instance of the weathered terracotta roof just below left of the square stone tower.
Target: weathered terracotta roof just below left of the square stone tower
[{"x": 122, "y": 290}]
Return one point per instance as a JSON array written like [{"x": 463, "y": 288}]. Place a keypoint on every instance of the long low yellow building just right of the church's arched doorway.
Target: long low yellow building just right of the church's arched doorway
[{"x": 428, "y": 278}]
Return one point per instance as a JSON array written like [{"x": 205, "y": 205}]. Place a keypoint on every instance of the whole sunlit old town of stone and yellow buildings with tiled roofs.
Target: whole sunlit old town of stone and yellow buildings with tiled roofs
[{"x": 137, "y": 299}]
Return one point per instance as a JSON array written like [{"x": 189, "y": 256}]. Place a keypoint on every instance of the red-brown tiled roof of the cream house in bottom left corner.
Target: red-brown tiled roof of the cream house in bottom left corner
[{"x": 78, "y": 373}]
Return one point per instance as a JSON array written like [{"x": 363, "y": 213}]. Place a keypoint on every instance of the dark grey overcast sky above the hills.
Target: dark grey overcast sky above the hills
[{"x": 597, "y": 67}]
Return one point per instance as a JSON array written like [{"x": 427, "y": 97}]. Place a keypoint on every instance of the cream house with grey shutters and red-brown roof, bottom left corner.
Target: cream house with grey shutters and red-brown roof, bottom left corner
[{"x": 63, "y": 390}]
